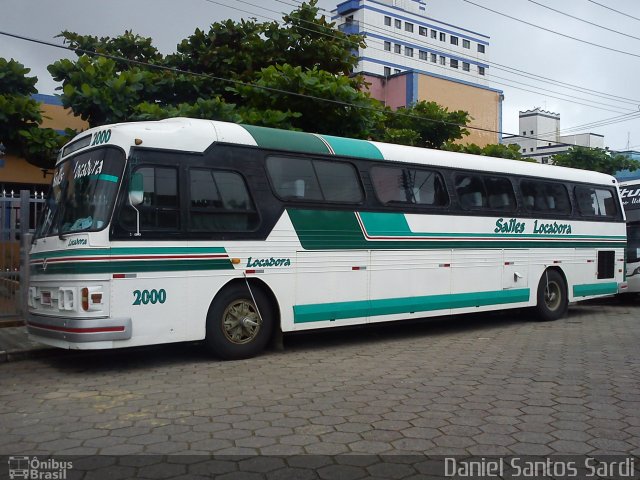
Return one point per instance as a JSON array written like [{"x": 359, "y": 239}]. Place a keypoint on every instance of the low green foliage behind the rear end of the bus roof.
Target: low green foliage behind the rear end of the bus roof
[{"x": 595, "y": 159}]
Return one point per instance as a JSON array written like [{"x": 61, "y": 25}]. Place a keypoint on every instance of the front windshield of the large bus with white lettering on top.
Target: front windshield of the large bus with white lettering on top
[{"x": 82, "y": 193}]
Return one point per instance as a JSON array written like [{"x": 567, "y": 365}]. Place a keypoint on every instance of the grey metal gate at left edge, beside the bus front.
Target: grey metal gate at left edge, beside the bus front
[{"x": 19, "y": 214}]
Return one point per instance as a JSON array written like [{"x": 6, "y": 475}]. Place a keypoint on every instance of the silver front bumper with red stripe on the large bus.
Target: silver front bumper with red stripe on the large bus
[{"x": 79, "y": 330}]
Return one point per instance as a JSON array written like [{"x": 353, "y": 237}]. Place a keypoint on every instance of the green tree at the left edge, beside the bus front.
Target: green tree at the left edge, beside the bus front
[{"x": 21, "y": 117}]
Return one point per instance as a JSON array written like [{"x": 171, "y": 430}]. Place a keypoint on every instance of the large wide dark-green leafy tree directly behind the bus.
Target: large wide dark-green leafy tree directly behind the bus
[{"x": 266, "y": 74}]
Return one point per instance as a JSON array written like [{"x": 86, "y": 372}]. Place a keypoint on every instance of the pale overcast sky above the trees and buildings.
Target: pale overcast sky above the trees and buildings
[{"x": 513, "y": 44}]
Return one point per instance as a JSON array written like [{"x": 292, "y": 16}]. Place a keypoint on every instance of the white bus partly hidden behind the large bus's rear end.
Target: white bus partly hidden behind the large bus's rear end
[{"x": 630, "y": 194}]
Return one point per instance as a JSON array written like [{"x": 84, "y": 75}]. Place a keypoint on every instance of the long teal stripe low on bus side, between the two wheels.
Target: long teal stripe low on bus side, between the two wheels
[{"x": 369, "y": 308}]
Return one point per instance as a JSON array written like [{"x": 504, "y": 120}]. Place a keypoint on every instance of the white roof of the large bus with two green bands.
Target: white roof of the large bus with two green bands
[{"x": 196, "y": 135}]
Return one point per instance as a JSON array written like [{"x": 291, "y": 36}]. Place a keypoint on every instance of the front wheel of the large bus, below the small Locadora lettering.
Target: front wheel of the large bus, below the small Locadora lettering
[{"x": 236, "y": 329}]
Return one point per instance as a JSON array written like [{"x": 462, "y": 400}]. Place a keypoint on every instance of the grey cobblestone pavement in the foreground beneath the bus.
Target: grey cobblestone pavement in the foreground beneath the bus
[{"x": 485, "y": 384}]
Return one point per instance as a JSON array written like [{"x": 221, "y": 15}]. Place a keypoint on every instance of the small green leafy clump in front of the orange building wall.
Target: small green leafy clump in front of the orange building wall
[{"x": 433, "y": 124}]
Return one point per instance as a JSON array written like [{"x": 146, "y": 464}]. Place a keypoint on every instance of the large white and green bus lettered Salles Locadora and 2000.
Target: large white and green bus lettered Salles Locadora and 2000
[{"x": 185, "y": 230}]
